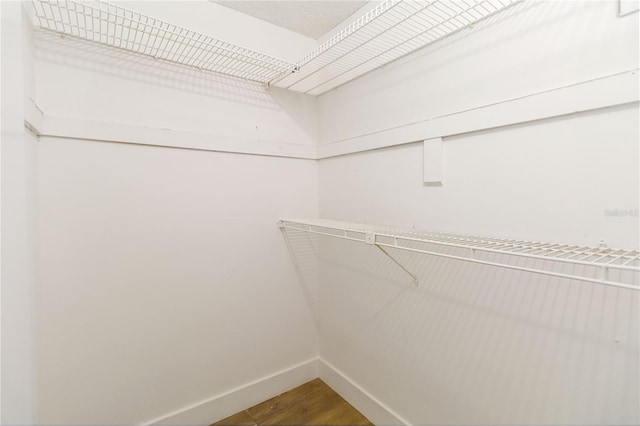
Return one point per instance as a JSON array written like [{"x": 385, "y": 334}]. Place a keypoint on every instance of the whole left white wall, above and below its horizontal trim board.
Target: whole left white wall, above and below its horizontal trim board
[{"x": 164, "y": 281}]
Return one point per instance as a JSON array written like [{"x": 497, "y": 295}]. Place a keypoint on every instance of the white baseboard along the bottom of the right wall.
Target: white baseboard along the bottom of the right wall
[{"x": 372, "y": 408}]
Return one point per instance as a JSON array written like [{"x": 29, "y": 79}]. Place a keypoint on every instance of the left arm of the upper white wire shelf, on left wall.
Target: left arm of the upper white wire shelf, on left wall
[{"x": 115, "y": 26}]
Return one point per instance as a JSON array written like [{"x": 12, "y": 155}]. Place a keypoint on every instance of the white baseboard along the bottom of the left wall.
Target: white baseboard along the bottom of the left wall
[{"x": 235, "y": 400}]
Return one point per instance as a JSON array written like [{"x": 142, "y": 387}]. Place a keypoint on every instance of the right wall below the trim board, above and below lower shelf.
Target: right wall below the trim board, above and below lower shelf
[{"x": 481, "y": 345}]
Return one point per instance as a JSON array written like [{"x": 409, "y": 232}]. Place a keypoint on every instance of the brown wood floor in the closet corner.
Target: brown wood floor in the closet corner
[{"x": 313, "y": 403}]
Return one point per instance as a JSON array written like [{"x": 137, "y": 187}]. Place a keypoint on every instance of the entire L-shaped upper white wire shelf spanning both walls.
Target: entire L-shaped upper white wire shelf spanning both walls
[{"x": 389, "y": 31}]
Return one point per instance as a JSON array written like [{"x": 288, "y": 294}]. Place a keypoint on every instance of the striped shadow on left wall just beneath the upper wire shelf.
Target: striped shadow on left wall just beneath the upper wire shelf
[{"x": 52, "y": 47}]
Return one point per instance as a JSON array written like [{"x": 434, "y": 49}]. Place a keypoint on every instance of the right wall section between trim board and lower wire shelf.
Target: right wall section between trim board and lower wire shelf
[{"x": 552, "y": 180}]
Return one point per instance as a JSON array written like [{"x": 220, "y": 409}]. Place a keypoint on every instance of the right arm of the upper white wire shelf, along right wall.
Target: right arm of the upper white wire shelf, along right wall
[{"x": 391, "y": 30}]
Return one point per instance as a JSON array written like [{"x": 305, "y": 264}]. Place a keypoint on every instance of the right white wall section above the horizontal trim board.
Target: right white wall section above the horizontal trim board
[{"x": 531, "y": 48}]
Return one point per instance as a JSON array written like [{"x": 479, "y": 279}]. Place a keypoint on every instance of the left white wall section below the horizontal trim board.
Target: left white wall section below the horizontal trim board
[{"x": 163, "y": 278}]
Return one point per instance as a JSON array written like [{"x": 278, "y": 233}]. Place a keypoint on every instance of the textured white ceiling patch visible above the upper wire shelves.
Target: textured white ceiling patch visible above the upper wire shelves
[{"x": 310, "y": 18}]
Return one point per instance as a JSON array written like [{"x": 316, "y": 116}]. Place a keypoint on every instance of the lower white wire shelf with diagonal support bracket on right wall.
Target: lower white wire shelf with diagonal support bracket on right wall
[{"x": 601, "y": 265}]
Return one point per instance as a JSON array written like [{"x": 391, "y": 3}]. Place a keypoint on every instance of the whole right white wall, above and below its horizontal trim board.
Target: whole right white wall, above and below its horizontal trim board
[{"x": 480, "y": 345}]
